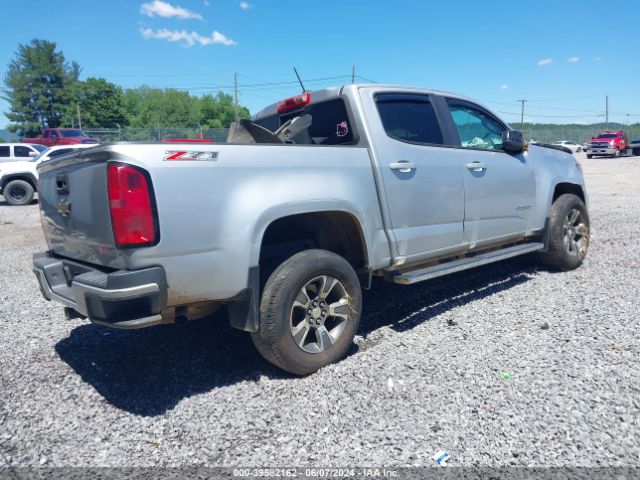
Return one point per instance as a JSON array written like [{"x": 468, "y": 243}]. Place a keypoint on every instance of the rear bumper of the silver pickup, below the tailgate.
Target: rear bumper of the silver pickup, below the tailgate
[{"x": 120, "y": 299}]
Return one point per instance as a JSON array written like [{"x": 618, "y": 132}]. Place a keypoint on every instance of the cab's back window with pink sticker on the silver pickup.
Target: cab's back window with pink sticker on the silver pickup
[{"x": 330, "y": 123}]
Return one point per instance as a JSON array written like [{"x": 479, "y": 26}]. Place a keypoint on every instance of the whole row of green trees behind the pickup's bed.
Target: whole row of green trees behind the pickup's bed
[{"x": 44, "y": 90}]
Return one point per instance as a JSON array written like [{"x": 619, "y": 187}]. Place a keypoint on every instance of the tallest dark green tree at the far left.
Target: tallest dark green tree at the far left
[{"x": 40, "y": 85}]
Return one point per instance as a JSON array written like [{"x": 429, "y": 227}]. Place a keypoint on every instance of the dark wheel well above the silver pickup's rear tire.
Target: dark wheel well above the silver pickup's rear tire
[{"x": 336, "y": 231}]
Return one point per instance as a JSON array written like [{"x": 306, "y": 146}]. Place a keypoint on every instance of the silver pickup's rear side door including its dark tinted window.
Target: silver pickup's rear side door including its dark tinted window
[{"x": 422, "y": 179}]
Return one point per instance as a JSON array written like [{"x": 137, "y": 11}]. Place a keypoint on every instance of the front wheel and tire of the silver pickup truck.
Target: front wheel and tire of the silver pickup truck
[{"x": 562, "y": 253}]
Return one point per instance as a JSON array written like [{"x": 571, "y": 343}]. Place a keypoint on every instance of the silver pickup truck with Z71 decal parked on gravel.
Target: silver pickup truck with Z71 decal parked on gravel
[{"x": 287, "y": 221}]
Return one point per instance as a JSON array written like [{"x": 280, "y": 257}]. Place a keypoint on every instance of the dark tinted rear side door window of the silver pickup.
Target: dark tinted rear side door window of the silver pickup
[{"x": 409, "y": 118}]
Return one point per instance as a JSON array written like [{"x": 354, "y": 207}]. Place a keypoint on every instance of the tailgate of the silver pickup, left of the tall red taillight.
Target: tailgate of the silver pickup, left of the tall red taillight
[{"x": 75, "y": 208}]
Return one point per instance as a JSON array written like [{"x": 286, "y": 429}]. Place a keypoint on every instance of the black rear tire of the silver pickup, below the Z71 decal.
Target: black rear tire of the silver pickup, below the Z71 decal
[{"x": 279, "y": 318}]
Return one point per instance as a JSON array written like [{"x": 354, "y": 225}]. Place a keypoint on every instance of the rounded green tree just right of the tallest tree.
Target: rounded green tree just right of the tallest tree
[{"x": 101, "y": 105}]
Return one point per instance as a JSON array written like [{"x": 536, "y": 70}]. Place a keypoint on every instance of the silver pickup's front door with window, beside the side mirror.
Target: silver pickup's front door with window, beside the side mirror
[{"x": 499, "y": 187}]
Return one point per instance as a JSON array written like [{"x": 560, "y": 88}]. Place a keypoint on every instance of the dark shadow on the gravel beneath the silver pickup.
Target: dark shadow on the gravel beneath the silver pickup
[{"x": 148, "y": 372}]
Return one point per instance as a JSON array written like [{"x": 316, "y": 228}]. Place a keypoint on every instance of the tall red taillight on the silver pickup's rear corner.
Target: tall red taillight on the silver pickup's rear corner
[{"x": 130, "y": 205}]
